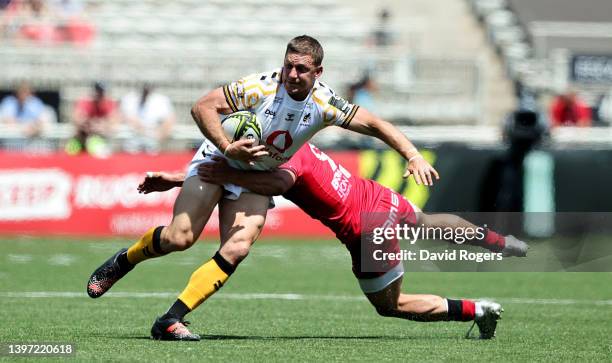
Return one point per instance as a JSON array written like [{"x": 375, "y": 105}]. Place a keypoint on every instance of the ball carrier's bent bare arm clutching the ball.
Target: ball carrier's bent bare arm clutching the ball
[{"x": 206, "y": 112}]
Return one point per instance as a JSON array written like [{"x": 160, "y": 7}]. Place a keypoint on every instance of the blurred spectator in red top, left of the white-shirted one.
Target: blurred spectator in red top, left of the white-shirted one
[{"x": 94, "y": 119}]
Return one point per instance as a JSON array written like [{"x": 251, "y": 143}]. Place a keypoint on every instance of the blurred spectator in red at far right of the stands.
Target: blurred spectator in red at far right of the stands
[{"x": 569, "y": 110}]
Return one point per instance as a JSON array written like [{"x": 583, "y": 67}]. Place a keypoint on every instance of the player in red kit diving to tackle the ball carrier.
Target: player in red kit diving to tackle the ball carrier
[{"x": 326, "y": 191}]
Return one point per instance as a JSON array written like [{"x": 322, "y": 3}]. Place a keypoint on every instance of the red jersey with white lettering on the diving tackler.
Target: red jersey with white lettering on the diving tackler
[{"x": 326, "y": 191}]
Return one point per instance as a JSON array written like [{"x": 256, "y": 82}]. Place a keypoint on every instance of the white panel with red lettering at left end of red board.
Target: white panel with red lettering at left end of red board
[{"x": 28, "y": 194}]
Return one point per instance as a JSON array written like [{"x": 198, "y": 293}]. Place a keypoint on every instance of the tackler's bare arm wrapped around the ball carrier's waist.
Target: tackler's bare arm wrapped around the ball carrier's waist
[{"x": 274, "y": 182}]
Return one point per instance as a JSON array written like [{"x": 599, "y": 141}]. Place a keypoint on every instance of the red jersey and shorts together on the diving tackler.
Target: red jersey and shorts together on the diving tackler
[{"x": 328, "y": 192}]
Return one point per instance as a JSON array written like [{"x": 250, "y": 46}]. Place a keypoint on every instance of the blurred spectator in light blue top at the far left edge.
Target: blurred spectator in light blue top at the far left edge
[{"x": 24, "y": 112}]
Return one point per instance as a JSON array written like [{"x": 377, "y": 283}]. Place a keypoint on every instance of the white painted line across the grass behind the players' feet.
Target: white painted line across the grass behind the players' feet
[{"x": 273, "y": 296}]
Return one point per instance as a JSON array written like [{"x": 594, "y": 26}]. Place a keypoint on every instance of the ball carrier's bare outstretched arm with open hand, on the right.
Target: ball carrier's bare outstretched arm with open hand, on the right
[{"x": 366, "y": 123}]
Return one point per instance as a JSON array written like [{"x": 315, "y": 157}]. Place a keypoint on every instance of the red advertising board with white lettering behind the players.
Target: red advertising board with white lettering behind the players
[{"x": 58, "y": 194}]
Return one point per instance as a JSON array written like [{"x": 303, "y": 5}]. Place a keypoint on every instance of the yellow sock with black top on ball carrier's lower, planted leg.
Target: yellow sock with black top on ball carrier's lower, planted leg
[{"x": 205, "y": 281}]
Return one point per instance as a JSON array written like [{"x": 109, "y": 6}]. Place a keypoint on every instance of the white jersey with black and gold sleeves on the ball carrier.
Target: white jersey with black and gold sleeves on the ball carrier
[{"x": 287, "y": 124}]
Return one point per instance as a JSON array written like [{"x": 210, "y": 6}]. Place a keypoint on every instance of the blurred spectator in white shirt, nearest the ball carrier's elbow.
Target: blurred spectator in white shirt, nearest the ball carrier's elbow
[{"x": 150, "y": 116}]
